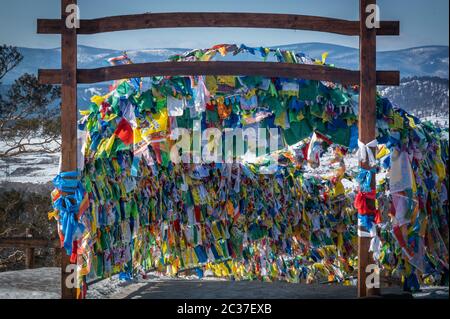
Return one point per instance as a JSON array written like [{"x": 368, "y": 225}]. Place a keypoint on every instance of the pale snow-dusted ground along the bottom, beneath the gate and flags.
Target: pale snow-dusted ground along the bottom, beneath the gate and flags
[{"x": 44, "y": 283}]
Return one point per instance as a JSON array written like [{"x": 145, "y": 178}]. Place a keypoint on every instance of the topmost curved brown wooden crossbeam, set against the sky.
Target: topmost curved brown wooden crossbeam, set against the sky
[{"x": 215, "y": 19}]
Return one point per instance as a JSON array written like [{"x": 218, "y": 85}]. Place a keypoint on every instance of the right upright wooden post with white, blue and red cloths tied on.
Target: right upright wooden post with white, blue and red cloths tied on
[{"x": 367, "y": 126}]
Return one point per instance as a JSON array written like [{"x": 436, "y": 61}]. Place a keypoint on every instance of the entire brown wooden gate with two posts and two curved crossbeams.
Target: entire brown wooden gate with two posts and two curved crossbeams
[{"x": 367, "y": 77}]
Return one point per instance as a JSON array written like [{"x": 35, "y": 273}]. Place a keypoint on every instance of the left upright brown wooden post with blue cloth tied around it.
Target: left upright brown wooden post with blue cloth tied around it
[{"x": 68, "y": 120}]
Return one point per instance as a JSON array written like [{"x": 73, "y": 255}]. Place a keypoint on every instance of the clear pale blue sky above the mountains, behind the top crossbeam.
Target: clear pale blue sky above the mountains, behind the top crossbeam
[{"x": 423, "y": 22}]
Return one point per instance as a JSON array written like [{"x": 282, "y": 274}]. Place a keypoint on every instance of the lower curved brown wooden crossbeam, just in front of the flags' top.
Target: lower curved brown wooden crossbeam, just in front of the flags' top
[{"x": 266, "y": 69}]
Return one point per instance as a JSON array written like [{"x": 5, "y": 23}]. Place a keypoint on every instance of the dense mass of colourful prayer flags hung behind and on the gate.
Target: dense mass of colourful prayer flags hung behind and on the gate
[{"x": 287, "y": 214}]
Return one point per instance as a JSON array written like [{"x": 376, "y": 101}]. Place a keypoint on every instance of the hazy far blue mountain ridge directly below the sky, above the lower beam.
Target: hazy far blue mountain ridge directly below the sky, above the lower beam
[{"x": 421, "y": 61}]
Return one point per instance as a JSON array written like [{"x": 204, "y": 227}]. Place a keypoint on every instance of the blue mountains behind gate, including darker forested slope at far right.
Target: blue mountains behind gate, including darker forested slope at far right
[{"x": 425, "y": 70}]
